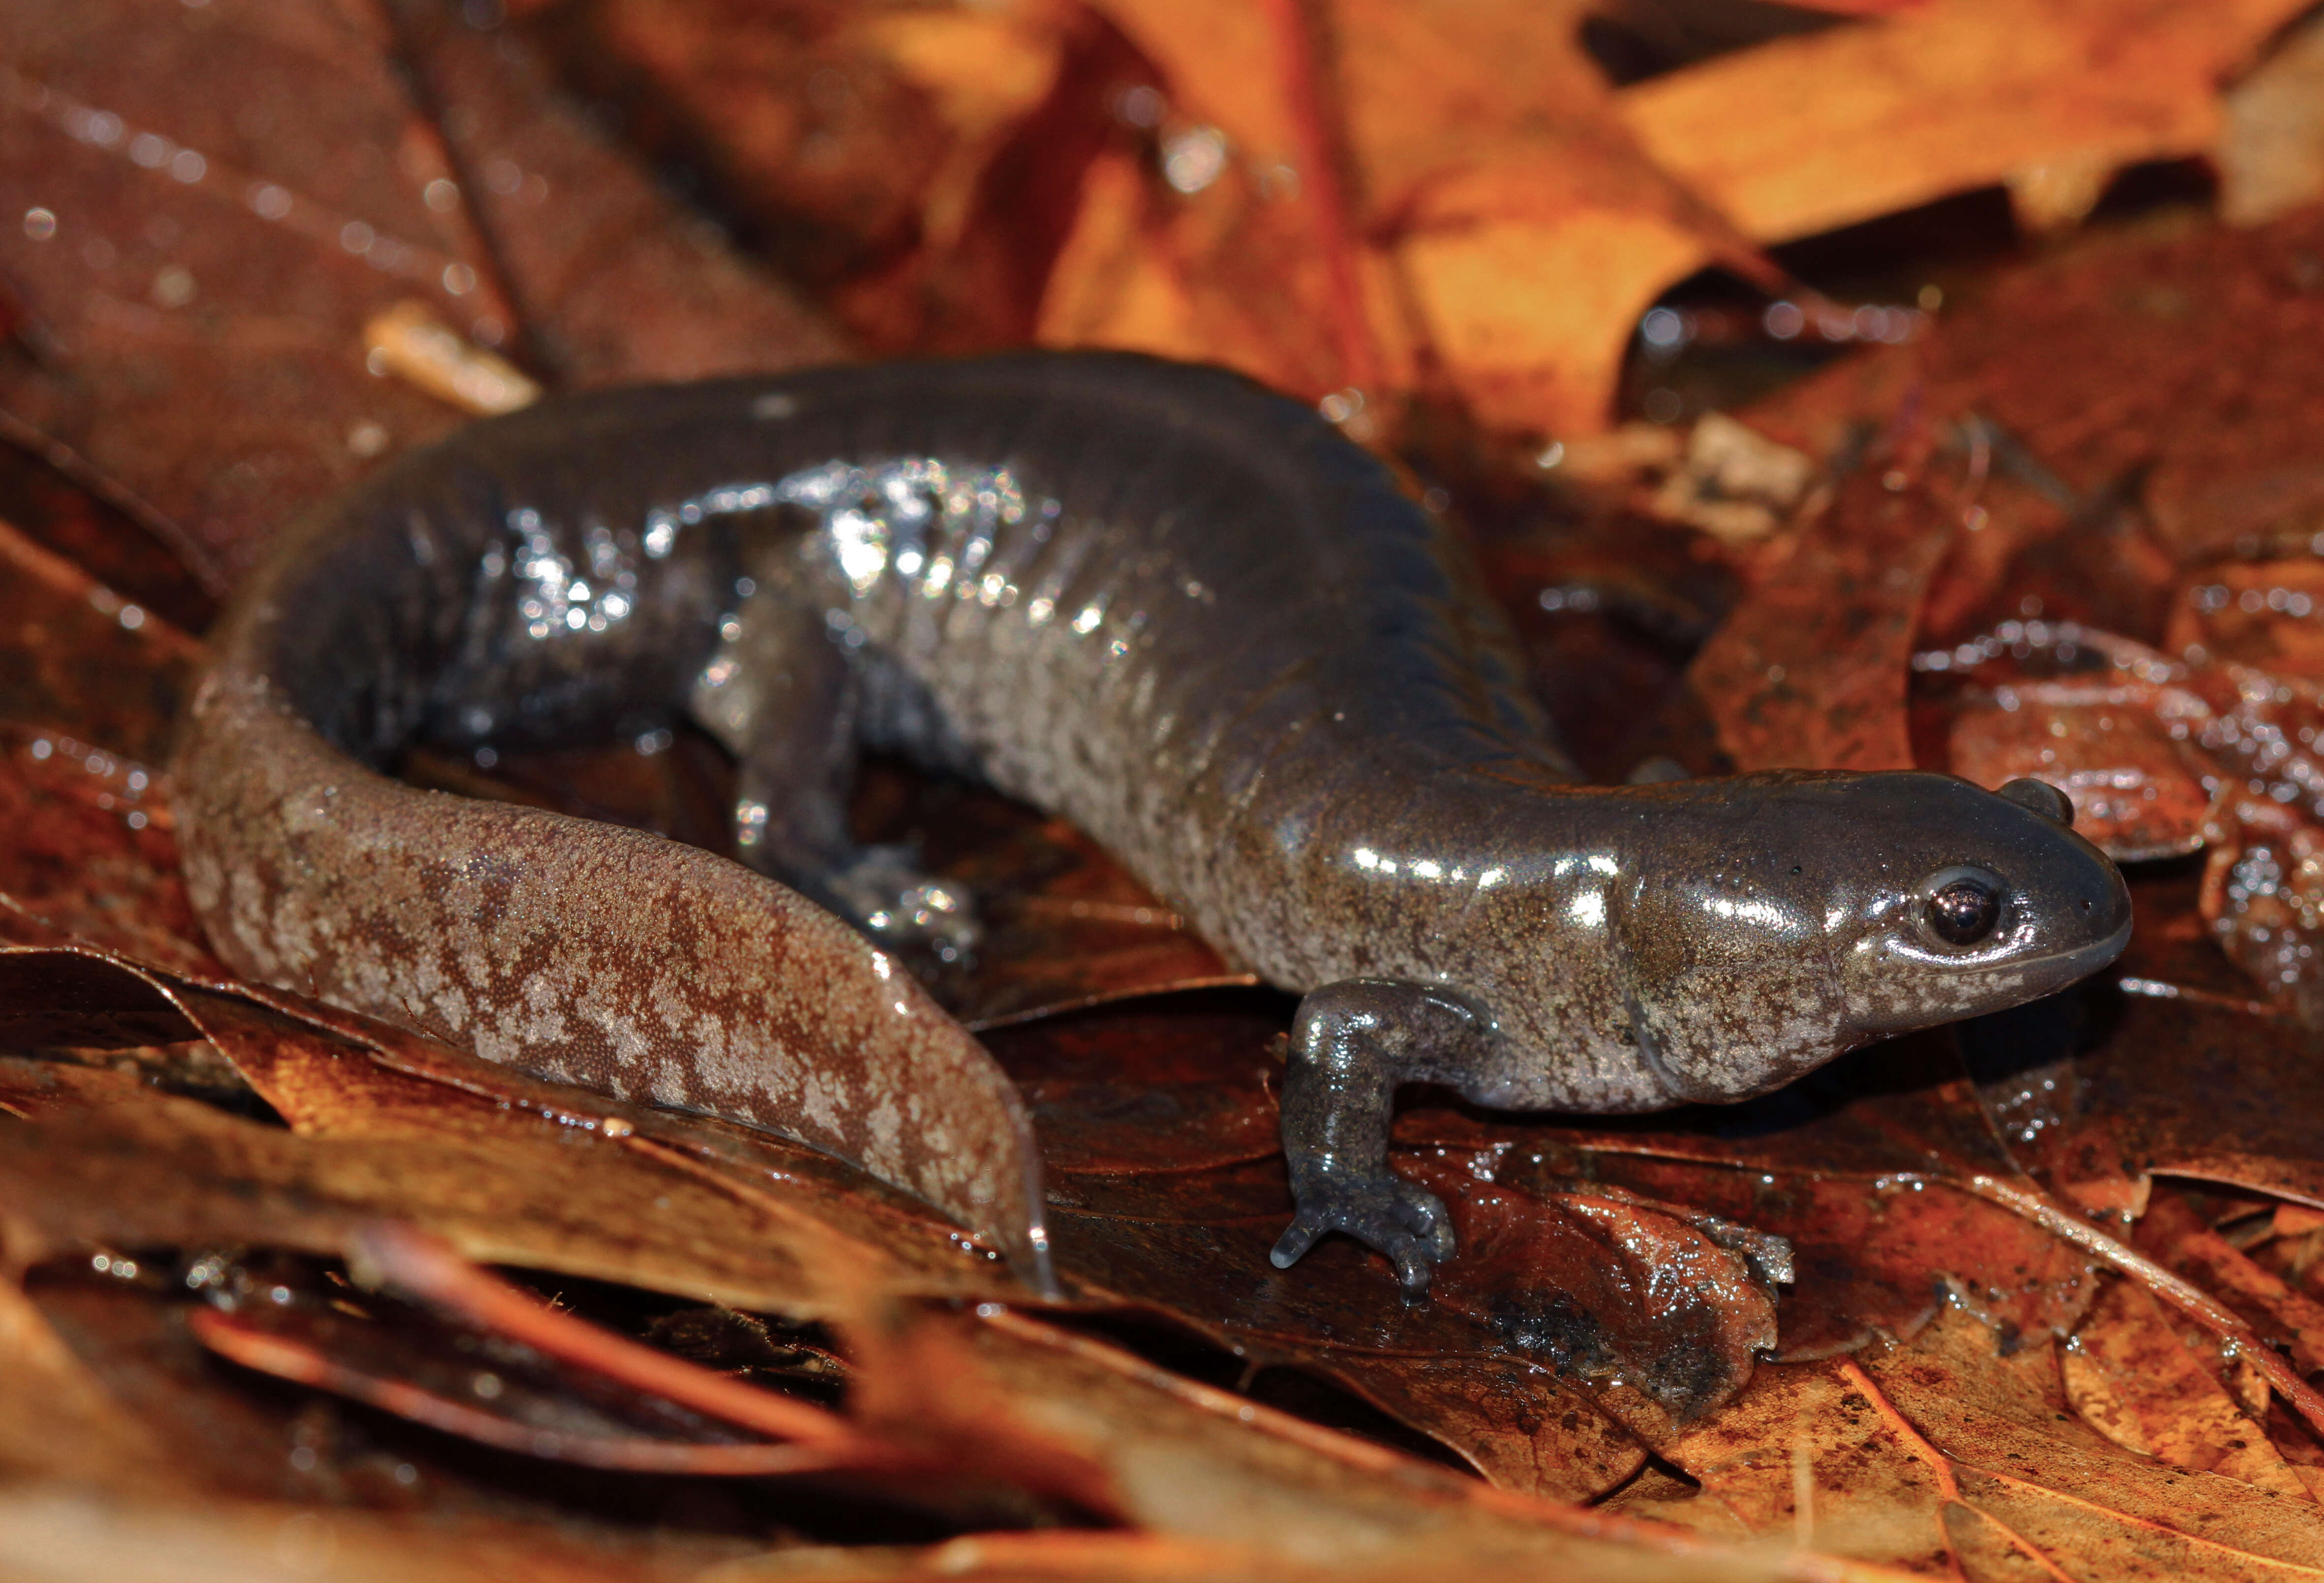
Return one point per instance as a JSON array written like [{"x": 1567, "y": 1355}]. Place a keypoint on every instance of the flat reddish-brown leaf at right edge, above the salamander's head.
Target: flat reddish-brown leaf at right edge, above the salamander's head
[{"x": 2167, "y": 359}]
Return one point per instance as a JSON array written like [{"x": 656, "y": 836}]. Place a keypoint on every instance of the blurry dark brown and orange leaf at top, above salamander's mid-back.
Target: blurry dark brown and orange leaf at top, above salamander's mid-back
[{"x": 912, "y": 164}]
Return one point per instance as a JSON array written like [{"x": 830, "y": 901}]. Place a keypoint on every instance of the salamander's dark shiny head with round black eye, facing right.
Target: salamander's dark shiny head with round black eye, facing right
[{"x": 1823, "y": 912}]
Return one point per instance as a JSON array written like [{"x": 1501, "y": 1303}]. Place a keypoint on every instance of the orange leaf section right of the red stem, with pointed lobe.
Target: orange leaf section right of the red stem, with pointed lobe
[{"x": 1528, "y": 227}]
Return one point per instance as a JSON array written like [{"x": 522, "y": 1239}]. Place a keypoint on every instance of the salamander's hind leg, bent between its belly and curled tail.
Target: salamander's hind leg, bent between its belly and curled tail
[{"x": 784, "y": 699}]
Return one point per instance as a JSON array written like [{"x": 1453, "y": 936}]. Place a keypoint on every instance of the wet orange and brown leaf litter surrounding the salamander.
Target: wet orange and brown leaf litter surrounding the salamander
[{"x": 2039, "y": 1298}]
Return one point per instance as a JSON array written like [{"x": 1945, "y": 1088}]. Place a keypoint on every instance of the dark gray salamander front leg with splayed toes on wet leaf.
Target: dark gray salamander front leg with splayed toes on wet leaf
[{"x": 1354, "y": 1045}]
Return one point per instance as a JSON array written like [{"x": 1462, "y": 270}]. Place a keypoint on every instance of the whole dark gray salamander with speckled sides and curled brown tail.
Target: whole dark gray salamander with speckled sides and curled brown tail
[{"x": 1154, "y": 599}]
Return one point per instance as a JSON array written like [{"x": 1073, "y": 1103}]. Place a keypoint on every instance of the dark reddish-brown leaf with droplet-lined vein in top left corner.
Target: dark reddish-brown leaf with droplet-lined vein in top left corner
[{"x": 199, "y": 303}]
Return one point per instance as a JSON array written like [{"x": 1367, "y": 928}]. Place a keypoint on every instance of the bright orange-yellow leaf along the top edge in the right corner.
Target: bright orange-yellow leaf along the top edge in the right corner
[{"x": 1832, "y": 129}]
